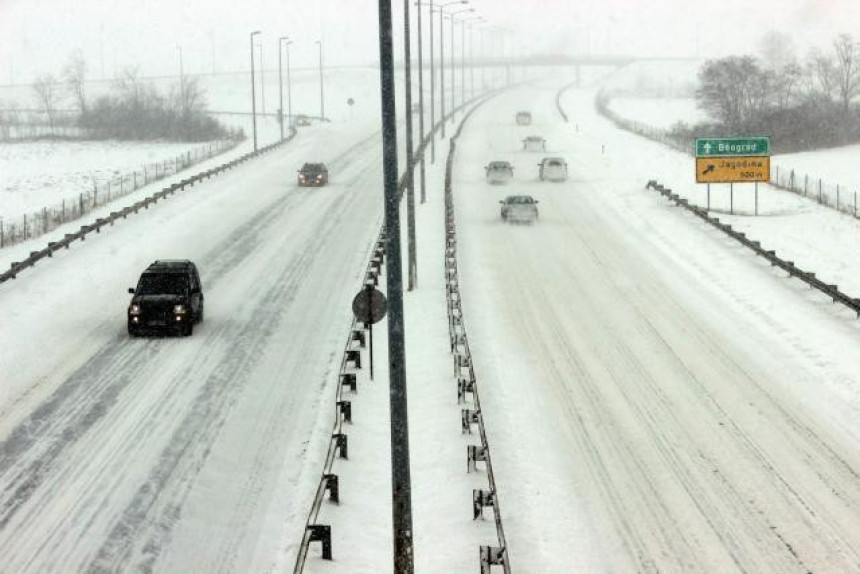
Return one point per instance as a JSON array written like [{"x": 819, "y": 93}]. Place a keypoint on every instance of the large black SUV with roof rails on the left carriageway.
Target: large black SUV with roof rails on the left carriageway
[{"x": 168, "y": 297}]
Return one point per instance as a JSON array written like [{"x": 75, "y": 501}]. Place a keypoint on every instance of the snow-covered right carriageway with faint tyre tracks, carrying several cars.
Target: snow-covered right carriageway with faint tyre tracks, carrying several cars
[{"x": 657, "y": 399}]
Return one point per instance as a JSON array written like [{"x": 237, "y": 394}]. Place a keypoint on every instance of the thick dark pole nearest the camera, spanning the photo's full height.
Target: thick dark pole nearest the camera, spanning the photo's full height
[{"x": 400, "y": 479}]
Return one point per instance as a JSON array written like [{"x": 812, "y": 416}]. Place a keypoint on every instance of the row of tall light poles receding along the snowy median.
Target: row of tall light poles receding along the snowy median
[{"x": 400, "y": 468}]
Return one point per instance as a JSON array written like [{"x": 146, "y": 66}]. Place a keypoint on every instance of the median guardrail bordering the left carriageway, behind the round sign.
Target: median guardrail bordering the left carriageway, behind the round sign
[{"x": 315, "y": 531}]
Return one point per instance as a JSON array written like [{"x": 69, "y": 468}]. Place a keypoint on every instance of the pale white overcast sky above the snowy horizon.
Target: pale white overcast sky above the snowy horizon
[{"x": 36, "y": 36}]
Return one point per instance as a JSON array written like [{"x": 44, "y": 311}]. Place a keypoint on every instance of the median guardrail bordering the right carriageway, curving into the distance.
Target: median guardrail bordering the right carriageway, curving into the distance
[{"x": 467, "y": 384}]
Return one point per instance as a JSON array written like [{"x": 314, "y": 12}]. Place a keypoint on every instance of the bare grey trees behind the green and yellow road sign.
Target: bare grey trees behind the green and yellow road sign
[{"x": 802, "y": 105}]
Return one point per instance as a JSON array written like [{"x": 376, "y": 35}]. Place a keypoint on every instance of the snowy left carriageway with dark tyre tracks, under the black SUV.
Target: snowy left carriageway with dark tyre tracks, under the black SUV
[{"x": 196, "y": 454}]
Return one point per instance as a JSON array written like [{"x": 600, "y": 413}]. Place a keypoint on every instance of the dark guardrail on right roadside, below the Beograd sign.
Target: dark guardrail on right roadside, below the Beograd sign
[{"x": 832, "y": 291}]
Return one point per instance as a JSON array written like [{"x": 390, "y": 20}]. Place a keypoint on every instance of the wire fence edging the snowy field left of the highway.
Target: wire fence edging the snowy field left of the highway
[{"x": 48, "y": 218}]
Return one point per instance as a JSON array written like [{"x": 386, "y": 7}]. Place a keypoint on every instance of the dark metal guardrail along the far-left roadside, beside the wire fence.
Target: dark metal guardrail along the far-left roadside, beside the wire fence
[{"x": 96, "y": 226}]
